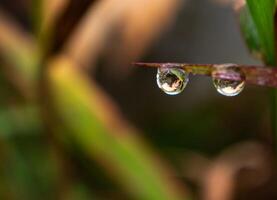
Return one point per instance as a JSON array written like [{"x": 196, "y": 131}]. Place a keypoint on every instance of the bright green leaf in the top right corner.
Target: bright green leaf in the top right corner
[{"x": 257, "y": 24}]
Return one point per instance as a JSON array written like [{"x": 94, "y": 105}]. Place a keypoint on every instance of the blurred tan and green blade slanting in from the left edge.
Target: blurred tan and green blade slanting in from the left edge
[{"x": 18, "y": 51}]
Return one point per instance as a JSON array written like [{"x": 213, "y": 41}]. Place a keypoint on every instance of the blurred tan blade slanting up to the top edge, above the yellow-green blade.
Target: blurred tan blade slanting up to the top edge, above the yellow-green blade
[{"x": 85, "y": 43}]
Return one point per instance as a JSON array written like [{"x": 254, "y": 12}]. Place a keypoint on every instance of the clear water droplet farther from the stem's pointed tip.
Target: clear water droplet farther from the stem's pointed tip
[{"x": 229, "y": 87}]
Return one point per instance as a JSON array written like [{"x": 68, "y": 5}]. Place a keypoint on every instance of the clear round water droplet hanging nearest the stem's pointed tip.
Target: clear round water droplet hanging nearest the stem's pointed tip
[{"x": 172, "y": 80}]
